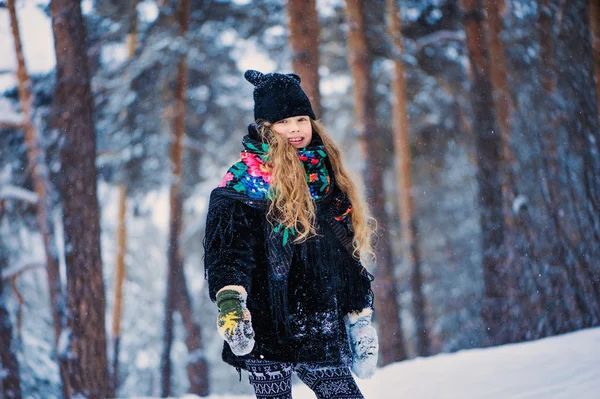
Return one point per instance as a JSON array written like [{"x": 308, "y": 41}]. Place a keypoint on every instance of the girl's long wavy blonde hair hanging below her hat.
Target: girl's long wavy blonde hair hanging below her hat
[{"x": 291, "y": 203}]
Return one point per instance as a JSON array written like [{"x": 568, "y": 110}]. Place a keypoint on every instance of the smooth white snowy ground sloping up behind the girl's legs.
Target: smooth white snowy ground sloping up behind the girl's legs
[{"x": 566, "y": 366}]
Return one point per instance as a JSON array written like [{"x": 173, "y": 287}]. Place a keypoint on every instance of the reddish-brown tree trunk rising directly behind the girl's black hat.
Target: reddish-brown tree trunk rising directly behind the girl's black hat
[{"x": 304, "y": 41}]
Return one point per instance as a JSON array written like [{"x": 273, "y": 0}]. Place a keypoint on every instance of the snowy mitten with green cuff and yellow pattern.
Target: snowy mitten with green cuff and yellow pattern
[{"x": 234, "y": 322}]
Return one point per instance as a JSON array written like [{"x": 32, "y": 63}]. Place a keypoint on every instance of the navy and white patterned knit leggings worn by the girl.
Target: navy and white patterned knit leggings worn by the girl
[{"x": 273, "y": 380}]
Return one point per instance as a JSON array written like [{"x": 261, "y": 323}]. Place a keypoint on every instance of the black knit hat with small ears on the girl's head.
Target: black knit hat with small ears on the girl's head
[{"x": 278, "y": 96}]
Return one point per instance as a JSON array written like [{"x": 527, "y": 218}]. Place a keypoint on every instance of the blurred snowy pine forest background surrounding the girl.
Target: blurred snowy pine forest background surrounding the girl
[{"x": 473, "y": 126}]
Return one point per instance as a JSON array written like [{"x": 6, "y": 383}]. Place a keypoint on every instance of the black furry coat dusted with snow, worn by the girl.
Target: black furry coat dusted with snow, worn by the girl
[{"x": 324, "y": 281}]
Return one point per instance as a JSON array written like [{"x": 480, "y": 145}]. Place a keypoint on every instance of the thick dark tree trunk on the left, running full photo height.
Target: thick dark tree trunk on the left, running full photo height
[{"x": 86, "y": 349}]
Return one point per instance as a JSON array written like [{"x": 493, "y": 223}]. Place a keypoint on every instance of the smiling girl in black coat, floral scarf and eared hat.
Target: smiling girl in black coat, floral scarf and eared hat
[{"x": 284, "y": 232}]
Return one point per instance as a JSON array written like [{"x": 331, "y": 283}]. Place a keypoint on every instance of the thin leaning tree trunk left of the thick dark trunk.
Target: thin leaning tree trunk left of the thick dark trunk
[{"x": 39, "y": 173}]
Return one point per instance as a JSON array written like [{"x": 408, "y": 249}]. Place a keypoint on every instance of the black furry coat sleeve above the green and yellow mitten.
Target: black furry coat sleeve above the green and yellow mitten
[{"x": 230, "y": 245}]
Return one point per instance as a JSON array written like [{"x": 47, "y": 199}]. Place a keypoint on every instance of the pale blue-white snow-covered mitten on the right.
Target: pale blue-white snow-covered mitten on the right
[{"x": 363, "y": 342}]
